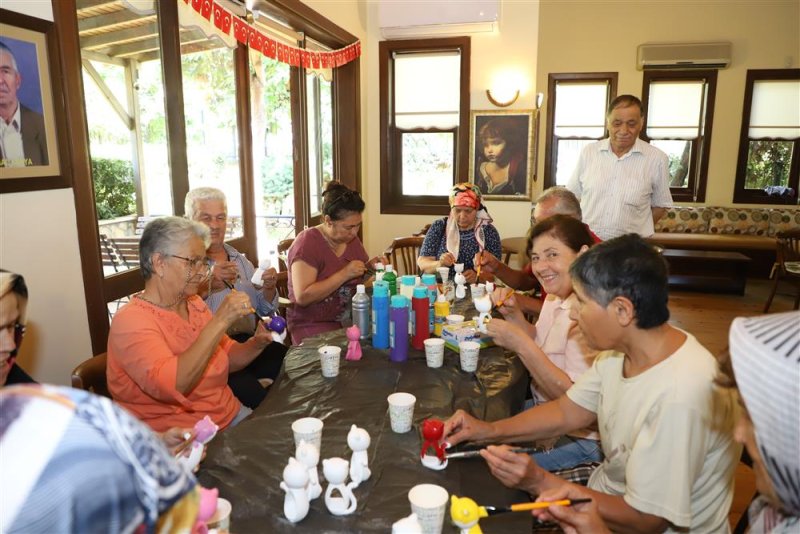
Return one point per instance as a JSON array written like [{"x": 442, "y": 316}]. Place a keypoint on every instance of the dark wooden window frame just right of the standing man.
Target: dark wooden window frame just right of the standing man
[{"x": 695, "y": 191}]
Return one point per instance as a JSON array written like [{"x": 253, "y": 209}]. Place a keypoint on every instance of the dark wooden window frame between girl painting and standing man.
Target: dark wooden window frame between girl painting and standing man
[{"x": 551, "y": 142}]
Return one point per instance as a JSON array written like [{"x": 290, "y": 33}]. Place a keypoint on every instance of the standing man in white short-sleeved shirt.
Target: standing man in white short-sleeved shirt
[{"x": 622, "y": 182}]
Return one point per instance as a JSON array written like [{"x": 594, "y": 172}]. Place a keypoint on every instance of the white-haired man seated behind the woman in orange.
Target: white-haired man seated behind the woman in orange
[{"x": 232, "y": 271}]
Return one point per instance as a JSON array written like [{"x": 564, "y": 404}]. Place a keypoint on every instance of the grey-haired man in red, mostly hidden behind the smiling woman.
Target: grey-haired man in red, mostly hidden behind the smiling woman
[{"x": 556, "y": 200}]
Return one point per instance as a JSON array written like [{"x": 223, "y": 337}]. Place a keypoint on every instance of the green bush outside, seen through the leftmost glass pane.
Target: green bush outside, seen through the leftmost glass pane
[{"x": 114, "y": 190}]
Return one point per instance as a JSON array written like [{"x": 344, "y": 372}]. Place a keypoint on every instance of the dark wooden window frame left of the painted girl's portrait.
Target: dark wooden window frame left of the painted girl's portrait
[{"x": 392, "y": 198}]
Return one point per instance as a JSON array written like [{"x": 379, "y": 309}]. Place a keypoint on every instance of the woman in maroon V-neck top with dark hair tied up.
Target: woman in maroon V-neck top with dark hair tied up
[{"x": 326, "y": 262}]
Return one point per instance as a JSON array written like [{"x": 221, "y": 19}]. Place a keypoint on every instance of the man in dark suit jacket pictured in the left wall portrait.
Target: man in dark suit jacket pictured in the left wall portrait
[{"x": 23, "y": 141}]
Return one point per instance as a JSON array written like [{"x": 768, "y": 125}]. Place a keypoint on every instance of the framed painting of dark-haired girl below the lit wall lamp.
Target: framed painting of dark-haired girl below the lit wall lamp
[{"x": 513, "y": 129}]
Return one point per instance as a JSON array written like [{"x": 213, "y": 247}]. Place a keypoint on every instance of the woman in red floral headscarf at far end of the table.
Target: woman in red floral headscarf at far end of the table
[{"x": 459, "y": 237}]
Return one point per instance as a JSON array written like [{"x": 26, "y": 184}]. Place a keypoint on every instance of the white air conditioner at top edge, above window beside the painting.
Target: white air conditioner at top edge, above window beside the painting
[{"x": 401, "y": 19}]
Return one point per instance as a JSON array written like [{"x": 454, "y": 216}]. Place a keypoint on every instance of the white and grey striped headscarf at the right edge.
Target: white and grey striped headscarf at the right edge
[{"x": 765, "y": 353}]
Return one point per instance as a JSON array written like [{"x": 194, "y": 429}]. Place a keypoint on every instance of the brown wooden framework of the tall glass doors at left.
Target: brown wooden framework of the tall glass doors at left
[{"x": 100, "y": 290}]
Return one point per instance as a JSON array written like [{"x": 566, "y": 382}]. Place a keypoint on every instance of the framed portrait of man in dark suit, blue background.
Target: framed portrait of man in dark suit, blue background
[{"x": 34, "y": 158}]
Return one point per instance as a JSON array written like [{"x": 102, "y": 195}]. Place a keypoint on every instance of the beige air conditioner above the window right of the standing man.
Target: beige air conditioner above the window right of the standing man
[{"x": 715, "y": 55}]
